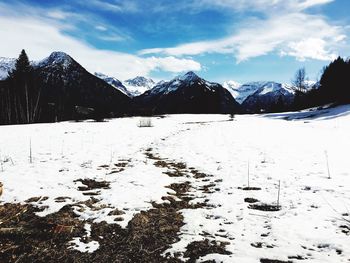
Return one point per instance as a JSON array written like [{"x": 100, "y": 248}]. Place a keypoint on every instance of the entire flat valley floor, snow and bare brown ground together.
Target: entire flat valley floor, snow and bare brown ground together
[{"x": 190, "y": 187}]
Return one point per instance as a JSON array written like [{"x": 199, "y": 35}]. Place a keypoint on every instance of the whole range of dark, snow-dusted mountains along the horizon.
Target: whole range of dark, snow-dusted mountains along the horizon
[{"x": 68, "y": 84}]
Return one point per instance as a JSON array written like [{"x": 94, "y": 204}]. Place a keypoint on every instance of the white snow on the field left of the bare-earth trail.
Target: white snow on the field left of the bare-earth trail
[{"x": 66, "y": 152}]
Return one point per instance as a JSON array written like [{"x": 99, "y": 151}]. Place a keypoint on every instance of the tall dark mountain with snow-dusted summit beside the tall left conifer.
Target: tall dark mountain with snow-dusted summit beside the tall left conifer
[{"x": 66, "y": 84}]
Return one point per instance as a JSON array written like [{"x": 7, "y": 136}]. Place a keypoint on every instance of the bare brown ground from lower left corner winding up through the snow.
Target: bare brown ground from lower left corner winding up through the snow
[{"x": 26, "y": 237}]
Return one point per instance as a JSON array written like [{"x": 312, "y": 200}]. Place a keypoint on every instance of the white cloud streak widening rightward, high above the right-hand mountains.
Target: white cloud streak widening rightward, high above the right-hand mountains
[{"x": 297, "y": 34}]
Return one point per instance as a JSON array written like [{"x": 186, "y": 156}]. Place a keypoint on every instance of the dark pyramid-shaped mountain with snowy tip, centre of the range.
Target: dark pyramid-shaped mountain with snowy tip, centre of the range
[{"x": 187, "y": 94}]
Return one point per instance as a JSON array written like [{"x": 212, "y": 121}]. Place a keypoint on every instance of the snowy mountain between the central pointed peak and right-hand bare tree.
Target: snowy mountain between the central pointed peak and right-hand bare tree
[{"x": 266, "y": 94}]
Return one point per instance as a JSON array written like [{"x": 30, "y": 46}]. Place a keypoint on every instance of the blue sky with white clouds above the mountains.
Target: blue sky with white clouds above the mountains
[{"x": 221, "y": 40}]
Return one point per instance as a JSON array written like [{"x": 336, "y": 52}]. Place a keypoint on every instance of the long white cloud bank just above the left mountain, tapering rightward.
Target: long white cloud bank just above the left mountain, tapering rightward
[{"x": 40, "y": 37}]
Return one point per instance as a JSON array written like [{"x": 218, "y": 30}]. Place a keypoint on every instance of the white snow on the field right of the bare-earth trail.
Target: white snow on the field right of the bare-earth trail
[{"x": 293, "y": 152}]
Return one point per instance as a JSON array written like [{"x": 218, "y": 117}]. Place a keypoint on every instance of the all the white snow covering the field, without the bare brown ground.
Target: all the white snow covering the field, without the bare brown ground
[{"x": 48, "y": 160}]
